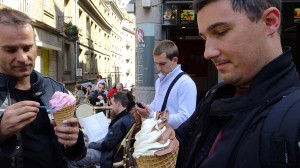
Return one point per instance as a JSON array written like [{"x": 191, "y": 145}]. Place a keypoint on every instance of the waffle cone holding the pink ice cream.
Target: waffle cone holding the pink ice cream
[{"x": 64, "y": 113}]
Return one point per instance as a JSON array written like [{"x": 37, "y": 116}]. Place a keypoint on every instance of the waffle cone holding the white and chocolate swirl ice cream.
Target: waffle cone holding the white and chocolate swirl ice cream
[{"x": 165, "y": 161}]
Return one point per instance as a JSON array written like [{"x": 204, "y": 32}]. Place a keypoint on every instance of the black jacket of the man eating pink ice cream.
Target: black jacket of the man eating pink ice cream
[{"x": 36, "y": 145}]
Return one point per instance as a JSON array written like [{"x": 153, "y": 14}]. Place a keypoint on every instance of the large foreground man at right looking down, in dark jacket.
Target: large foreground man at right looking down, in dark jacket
[{"x": 229, "y": 127}]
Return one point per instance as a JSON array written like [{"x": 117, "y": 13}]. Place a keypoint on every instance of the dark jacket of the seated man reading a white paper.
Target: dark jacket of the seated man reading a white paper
[{"x": 117, "y": 130}]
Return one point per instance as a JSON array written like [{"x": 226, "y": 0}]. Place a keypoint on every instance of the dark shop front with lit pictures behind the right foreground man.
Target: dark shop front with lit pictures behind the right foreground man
[{"x": 179, "y": 24}]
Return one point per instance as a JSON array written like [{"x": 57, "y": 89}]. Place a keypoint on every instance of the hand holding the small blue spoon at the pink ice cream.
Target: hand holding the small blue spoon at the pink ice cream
[{"x": 16, "y": 117}]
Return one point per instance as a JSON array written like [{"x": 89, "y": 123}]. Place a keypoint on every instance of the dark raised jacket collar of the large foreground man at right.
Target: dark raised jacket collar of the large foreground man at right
[{"x": 272, "y": 81}]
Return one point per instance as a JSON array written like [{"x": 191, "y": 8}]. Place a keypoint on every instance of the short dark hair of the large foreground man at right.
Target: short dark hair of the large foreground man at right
[{"x": 252, "y": 8}]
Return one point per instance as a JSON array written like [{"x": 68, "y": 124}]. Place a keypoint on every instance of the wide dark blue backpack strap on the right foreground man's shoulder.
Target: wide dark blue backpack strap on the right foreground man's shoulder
[{"x": 279, "y": 133}]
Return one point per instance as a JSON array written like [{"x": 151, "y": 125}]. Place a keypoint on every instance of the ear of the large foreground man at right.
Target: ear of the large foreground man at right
[{"x": 272, "y": 18}]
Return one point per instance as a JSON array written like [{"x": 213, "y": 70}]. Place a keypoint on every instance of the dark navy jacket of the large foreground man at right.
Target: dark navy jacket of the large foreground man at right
[{"x": 239, "y": 117}]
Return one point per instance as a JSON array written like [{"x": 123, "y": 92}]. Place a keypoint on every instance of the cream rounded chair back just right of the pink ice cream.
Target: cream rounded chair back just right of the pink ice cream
[{"x": 84, "y": 110}]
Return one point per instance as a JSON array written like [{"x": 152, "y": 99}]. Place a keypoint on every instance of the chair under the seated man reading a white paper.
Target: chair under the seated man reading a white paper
[{"x": 126, "y": 145}]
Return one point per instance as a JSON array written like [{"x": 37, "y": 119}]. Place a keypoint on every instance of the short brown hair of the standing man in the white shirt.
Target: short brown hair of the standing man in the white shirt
[{"x": 168, "y": 47}]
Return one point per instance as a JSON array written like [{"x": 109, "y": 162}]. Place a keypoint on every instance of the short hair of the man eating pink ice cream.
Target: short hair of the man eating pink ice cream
[{"x": 14, "y": 17}]
